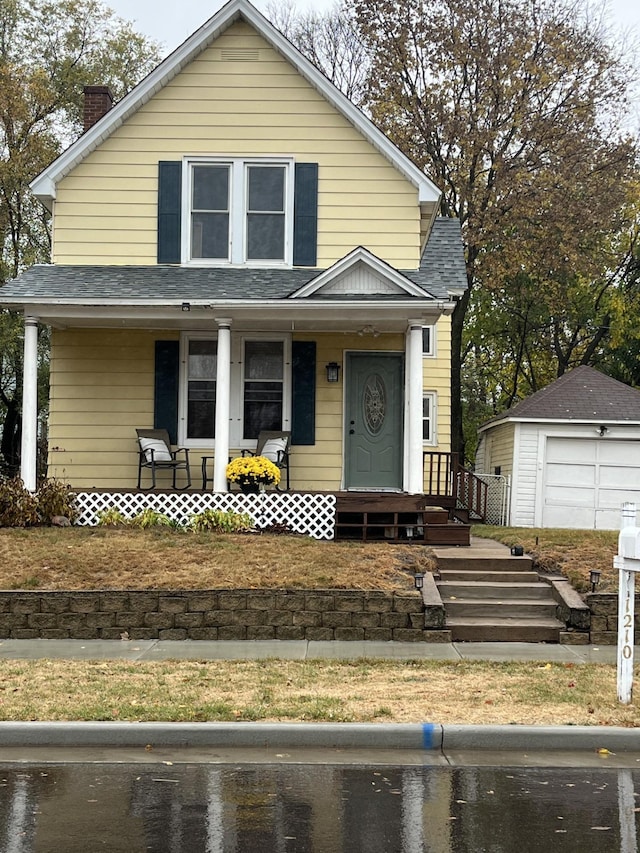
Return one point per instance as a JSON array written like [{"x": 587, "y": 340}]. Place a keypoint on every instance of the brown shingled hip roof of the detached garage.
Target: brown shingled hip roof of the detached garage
[{"x": 582, "y": 394}]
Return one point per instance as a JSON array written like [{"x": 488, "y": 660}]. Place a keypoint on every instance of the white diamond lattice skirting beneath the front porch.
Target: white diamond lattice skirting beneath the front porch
[{"x": 310, "y": 514}]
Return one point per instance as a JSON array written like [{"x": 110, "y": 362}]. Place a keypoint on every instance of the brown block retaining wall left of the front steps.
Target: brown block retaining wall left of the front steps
[{"x": 244, "y": 614}]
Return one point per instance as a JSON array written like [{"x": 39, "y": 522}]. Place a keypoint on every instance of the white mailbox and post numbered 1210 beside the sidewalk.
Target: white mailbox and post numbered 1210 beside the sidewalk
[{"x": 627, "y": 561}]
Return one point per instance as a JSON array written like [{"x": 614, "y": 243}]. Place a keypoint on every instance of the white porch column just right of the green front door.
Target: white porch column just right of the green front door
[{"x": 414, "y": 480}]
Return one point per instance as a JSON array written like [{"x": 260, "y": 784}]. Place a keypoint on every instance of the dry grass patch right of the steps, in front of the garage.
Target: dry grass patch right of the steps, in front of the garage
[{"x": 572, "y": 552}]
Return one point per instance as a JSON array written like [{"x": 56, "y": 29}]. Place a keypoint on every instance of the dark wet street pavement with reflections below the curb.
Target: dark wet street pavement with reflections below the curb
[{"x": 322, "y": 803}]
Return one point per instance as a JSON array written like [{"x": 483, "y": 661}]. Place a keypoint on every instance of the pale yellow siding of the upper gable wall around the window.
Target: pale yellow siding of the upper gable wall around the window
[{"x": 105, "y": 210}]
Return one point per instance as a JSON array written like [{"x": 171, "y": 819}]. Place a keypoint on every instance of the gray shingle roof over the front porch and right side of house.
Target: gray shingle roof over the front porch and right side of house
[{"x": 442, "y": 268}]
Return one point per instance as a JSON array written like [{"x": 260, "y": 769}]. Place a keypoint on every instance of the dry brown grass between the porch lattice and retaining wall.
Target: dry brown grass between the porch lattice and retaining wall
[{"x": 99, "y": 558}]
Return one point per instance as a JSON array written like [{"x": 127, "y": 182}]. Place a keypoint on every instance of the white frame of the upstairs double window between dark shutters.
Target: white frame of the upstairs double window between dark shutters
[{"x": 238, "y": 192}]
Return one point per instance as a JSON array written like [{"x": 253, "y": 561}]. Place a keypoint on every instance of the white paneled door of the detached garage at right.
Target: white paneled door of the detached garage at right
[{"x": 587, "y": 481}]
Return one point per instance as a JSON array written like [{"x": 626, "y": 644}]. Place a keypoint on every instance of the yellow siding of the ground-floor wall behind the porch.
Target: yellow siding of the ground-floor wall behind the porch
[{"x": 102, "y": 390}]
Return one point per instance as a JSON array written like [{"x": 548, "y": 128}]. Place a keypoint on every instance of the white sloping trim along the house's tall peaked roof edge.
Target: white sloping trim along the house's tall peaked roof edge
[{"x": 44, "y": 186}]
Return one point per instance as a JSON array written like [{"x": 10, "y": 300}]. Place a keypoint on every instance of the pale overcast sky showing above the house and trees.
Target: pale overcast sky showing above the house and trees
[{"x": 171, "y": 22}]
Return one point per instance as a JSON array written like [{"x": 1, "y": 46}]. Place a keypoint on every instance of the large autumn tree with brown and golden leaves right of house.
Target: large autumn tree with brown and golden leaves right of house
[{"x": 515, "y": 109}]
